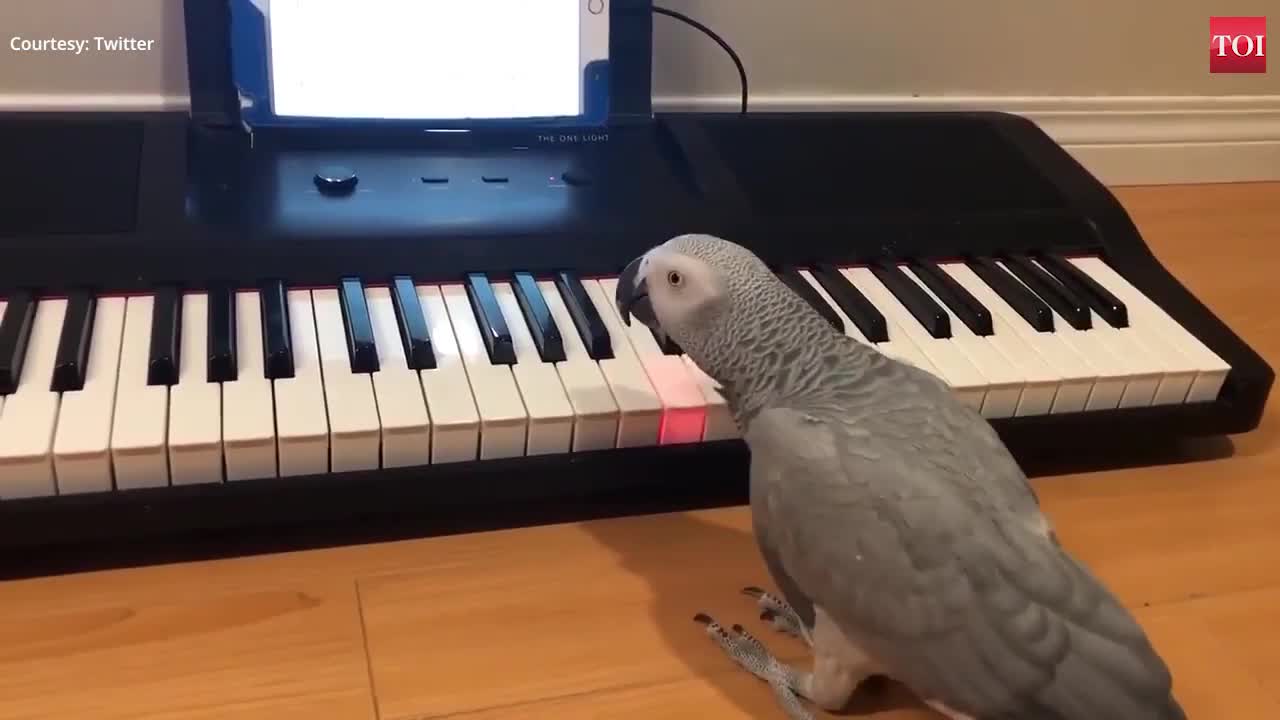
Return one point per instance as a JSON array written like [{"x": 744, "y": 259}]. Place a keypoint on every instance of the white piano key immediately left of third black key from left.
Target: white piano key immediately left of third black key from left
[{"x": 141, "y": 421}]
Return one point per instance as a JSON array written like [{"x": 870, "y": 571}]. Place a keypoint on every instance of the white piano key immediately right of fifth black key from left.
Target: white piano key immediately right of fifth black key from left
[{"x": 301, "y": 417}]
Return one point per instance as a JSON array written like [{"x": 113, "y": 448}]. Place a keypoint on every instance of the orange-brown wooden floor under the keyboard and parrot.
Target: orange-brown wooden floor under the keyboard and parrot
[{"x": 595, "y": 621}]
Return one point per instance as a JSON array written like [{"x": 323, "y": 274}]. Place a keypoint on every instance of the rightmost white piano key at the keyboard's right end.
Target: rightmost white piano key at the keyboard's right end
[{"x": 1164, "y": 335}]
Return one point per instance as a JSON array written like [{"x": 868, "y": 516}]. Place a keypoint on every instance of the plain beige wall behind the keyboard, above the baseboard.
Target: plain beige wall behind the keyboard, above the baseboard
[{"x": 806, "y": 48}]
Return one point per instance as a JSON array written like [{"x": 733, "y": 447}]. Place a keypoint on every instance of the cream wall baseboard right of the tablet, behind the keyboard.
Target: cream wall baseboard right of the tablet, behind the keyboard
[{"x": 1123, "y": 140}]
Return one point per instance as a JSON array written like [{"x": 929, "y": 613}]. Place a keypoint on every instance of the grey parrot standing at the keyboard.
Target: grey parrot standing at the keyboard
[{"x": 902, "y": 535}]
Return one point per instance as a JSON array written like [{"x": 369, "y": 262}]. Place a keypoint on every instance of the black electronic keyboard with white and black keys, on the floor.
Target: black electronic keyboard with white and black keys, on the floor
[{"x": 204, "y": 335}]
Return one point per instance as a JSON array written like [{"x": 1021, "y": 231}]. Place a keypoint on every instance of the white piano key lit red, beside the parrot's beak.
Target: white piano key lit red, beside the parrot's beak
[{"x": 684, "y": 405}]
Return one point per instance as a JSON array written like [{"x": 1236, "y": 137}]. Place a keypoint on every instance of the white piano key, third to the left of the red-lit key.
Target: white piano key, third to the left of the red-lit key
[{"x": 551, "y": 417}]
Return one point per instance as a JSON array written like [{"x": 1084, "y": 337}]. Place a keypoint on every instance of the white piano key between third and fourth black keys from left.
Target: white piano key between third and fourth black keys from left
[{"x": 195, "y": 443}]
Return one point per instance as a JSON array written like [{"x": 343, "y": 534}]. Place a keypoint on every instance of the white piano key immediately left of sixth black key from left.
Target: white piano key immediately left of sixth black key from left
[{"x": 355, "y": 435}]
